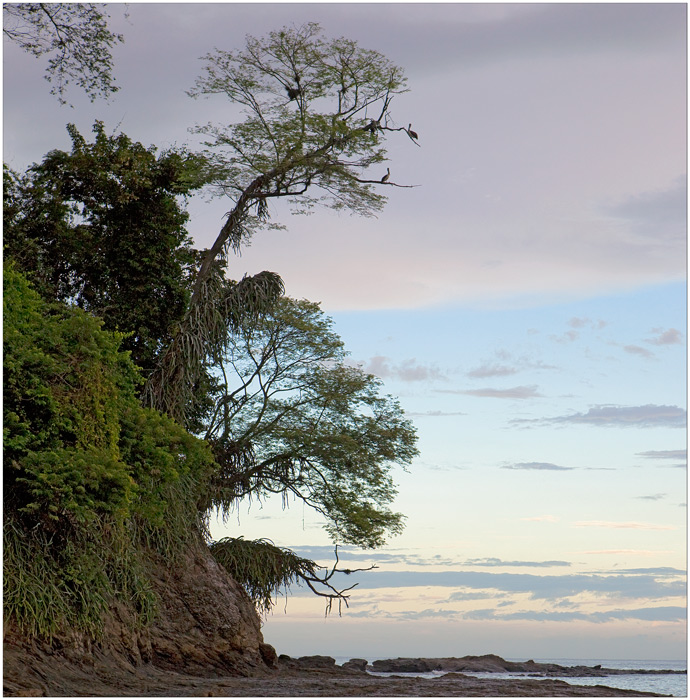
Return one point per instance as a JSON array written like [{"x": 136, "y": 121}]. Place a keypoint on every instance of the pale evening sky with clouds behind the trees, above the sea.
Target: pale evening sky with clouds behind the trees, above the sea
[{"x": 526, "y": 302}]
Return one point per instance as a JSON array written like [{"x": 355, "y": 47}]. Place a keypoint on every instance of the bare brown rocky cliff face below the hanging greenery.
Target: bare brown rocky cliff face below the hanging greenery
[{"x": 206, "y": 625}]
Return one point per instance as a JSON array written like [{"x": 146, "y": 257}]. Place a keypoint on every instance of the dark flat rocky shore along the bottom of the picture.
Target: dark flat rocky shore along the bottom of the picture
[{"x": 315, "y": 676}]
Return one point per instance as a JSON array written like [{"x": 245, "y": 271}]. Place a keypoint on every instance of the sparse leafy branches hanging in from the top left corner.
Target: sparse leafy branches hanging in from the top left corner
[{"x": 75, "y": 35}]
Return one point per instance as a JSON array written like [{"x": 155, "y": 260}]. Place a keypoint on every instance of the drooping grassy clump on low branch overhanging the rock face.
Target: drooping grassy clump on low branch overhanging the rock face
[{"x": 261, "y": 568}]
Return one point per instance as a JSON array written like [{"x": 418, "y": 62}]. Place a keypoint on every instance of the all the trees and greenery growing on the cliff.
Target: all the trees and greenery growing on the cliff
[{"x": 144, "y": 391}]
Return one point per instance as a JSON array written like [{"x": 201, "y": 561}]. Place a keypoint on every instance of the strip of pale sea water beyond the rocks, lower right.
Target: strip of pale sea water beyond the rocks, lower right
[{"x": 666, "y": 684}]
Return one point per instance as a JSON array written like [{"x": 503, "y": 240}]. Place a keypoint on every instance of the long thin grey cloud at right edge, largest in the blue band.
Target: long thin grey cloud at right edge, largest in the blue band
[{"x": 648, "y": 416}]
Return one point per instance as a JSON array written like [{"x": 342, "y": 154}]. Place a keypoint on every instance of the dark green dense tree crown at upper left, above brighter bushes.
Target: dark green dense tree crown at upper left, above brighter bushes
[{"x": 101, "y": 227}]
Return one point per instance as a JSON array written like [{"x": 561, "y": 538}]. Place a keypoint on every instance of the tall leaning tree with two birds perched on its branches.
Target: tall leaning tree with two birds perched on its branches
[{"x": 316, "y": 113}]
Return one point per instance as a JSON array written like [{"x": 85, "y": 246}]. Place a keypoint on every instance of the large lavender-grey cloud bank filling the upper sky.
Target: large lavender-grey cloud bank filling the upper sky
[{"x": 439, "y": 44}]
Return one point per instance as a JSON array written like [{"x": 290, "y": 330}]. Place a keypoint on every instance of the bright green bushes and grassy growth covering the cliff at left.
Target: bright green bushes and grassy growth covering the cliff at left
[{"x": 92, "y": 479}]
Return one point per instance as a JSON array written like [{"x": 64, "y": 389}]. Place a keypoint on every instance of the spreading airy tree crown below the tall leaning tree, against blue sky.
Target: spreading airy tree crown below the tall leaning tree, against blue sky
[{"x": 293, "y": 418}]
